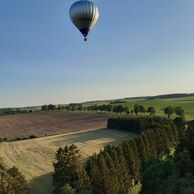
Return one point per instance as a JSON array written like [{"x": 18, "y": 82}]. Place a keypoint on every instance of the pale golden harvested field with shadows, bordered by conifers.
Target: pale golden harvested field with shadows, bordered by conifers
[{"x": 34, "y": 157}]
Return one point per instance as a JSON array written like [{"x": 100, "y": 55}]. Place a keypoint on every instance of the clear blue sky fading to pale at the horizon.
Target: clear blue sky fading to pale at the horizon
[{"x": 137, "y": 48}]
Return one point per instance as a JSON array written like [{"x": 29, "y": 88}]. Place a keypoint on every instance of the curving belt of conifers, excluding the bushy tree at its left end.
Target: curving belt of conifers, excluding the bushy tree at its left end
[{"x": 116, "y": 168}]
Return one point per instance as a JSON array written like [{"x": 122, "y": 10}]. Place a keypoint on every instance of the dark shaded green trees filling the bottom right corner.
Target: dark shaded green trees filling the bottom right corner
[{"x": 174, "y": 175}]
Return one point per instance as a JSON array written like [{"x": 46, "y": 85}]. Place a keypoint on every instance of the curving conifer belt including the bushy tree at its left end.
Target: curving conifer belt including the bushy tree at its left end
[{"x": 116, "y": 169}]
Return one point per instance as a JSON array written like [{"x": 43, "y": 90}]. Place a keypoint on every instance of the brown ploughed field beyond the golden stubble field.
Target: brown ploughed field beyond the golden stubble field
[{"x": 48, "y": 123}]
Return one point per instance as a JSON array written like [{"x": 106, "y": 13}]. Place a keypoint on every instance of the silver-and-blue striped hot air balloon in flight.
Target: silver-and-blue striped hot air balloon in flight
[{"x": 84, "y": 15}]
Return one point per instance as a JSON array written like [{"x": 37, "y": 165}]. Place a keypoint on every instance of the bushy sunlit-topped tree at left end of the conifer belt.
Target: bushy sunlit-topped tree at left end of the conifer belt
[{"x": 69, "y": 170}]
